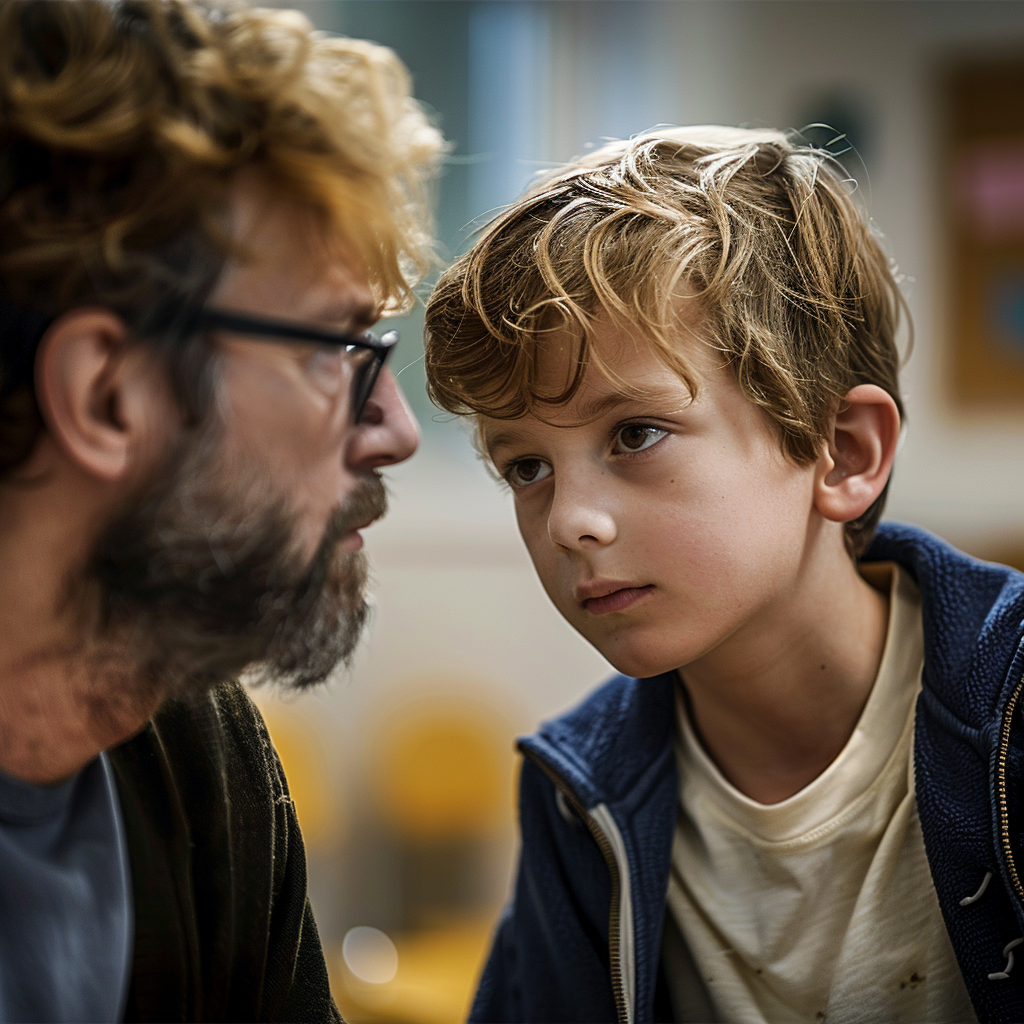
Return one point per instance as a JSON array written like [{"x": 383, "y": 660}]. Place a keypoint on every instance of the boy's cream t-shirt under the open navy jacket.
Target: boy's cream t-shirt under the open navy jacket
[{"x": 821, "y": 908}]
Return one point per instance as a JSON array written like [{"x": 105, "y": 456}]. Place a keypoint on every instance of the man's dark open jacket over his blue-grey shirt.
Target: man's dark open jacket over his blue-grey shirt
[{"x": 224, "y": 929}]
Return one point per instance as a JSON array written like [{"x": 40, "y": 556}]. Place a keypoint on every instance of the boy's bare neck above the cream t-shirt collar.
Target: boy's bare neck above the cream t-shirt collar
[{"x": 776, "y": 706}]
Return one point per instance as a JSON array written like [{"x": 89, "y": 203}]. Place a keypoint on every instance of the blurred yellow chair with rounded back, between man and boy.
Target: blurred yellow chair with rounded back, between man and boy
[{"x": 443, "y": 779}]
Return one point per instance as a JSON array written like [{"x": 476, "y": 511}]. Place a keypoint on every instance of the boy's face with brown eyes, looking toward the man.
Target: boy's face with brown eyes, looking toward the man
[{"x": 664, "y": 530}]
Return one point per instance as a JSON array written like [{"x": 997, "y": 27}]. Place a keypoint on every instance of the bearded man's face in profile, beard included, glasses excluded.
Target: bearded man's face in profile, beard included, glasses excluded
[{"x": 246, "y": 551}]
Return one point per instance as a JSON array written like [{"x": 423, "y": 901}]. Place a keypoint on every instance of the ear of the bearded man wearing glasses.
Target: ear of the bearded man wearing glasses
[{"x": 101, "y": 398}]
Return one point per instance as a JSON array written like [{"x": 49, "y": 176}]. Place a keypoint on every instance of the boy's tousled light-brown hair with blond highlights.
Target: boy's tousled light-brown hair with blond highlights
[{"x": 793, "y": 286}]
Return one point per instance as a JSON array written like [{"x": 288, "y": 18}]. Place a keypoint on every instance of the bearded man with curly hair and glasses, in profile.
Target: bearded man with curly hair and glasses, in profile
[{"x": 202, "y": 210}]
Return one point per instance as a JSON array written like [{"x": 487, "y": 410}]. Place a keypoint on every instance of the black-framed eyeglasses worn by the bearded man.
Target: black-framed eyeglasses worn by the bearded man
[{"x": 369, "y": 354}]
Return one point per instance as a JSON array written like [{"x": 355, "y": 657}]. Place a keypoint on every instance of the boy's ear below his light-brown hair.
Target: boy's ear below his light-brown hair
[{"x": 855, "y": 470}]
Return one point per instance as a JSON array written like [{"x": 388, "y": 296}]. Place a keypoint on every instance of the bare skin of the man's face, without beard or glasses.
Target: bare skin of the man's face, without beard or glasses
[{"x": 287, "y": 406}]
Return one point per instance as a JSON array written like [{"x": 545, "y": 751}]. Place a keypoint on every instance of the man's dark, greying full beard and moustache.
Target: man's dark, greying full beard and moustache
[{"x": 201, "y": 580}]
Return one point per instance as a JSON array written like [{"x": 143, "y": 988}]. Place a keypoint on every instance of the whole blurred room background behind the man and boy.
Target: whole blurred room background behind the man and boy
[{"x": 404, "y": 773}]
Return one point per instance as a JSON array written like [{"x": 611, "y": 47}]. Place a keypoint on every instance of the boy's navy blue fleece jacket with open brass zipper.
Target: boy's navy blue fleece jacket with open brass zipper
[{"x": 581, "y": 941}]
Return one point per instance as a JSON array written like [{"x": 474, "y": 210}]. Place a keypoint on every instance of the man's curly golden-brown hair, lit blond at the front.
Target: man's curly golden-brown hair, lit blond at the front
[{"x": 123, "y": 124}]
